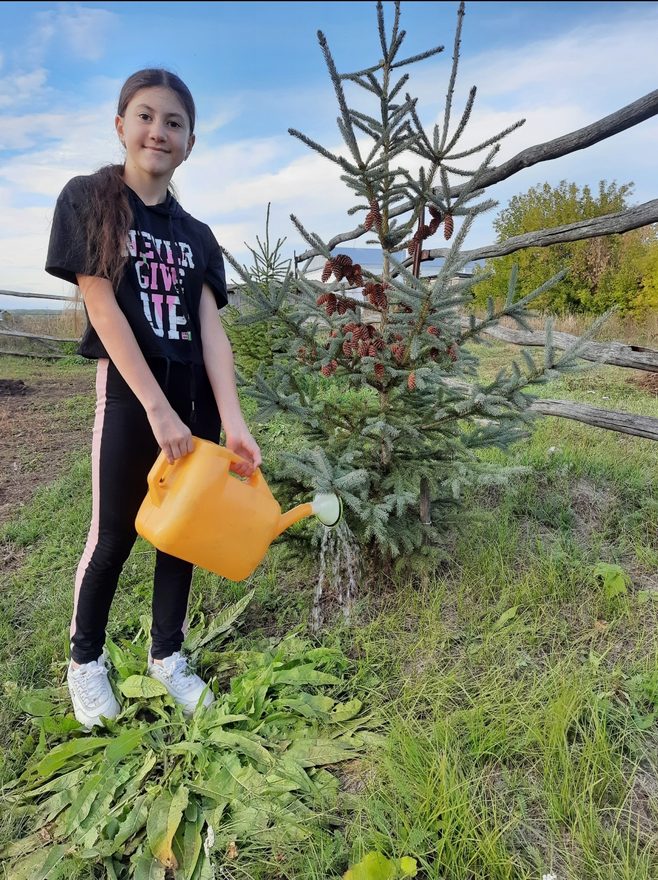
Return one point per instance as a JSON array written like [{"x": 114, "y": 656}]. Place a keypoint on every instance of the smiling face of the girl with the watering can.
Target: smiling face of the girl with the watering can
[{"x": 155, "y": 130}]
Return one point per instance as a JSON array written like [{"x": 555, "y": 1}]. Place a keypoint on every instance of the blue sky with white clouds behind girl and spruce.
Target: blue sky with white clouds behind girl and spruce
[{"x": 255, "y": 69}]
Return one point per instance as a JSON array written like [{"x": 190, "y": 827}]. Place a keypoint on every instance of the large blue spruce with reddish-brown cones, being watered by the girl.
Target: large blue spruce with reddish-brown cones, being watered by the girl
[{"x": 379, "y": 370}]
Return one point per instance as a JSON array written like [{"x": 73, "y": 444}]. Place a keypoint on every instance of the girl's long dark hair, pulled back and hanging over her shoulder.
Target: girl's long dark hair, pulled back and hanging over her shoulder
[{"x": 108, "y": 215}]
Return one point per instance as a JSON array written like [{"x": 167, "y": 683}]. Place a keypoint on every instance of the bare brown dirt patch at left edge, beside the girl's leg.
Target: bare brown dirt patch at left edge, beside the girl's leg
[{"x": 39, "y": 428}]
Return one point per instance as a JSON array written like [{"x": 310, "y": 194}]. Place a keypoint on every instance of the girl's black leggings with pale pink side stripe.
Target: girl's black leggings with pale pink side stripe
[{"x": 123, "y": 451}]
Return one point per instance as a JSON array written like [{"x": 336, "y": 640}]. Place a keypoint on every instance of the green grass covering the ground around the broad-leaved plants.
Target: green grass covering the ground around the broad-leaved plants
[{"x": 515, "y": 685}]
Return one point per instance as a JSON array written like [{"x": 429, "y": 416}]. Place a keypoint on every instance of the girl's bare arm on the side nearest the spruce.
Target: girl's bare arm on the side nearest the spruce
[{"x": 218, "y": 360}]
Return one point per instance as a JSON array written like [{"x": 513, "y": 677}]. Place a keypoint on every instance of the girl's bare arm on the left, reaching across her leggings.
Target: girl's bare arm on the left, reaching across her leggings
[{"x": 107, "y": 319}]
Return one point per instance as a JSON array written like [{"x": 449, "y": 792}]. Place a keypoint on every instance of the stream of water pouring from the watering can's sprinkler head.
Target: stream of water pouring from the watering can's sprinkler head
[{"x": 338, "y": 577}]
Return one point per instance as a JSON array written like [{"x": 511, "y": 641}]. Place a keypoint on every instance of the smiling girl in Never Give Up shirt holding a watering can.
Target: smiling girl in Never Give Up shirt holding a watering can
[{"x": 152, "y": 280}]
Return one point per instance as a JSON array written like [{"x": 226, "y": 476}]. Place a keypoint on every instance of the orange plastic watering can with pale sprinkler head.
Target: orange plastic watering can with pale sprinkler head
[{"x": 197, "y": 510}]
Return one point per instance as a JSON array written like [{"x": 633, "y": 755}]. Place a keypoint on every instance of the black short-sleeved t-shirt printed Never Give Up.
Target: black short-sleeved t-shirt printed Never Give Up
[{"x": 171, "y": 255}]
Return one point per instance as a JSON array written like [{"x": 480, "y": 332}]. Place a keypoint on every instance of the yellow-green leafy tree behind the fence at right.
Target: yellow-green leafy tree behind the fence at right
[{"x": 604, "y": 272}]
